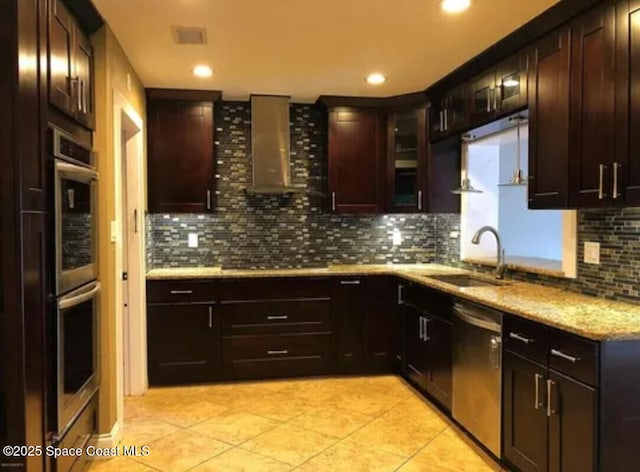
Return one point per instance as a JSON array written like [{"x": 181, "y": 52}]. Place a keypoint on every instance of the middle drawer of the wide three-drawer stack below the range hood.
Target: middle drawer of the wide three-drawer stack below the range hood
[{"x": 275, "y": 317}]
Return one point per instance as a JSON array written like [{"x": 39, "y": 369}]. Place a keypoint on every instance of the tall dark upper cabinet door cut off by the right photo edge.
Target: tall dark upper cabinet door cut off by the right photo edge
[{"x": 627, "y": 163}]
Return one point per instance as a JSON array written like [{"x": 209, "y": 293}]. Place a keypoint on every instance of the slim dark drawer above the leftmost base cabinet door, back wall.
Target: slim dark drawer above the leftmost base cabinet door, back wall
[{"x": 181, "y": 291}]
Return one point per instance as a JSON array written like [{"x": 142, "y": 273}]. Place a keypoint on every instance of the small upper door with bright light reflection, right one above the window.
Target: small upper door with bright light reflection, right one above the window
[{"x": 511, "y": 83}]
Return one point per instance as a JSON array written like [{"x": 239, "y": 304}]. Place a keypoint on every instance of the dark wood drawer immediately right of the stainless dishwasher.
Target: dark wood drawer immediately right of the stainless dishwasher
[{"x": 526, "y": 338}]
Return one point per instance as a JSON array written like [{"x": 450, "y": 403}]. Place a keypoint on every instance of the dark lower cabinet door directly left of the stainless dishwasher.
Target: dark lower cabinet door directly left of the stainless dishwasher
[{"x": 439, "y": 360}]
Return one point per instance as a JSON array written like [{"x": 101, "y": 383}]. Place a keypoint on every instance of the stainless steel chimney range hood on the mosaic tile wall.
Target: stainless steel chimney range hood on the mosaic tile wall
[{"x": 270, "y": 146}]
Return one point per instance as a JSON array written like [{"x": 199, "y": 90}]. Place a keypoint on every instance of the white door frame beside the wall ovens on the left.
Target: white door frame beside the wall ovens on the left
[{"x": 131, "y": 350}]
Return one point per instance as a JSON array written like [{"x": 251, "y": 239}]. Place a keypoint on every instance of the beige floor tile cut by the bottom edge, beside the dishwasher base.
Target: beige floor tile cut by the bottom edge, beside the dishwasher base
[{"x": 452, "y": 451}]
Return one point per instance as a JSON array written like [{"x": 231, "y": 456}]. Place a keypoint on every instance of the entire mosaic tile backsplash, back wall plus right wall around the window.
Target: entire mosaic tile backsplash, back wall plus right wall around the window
[{"x": 296, "y": 232}]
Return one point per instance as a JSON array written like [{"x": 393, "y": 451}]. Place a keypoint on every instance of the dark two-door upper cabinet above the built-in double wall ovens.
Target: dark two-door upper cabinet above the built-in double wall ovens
[{"x": 71, "y": 81}]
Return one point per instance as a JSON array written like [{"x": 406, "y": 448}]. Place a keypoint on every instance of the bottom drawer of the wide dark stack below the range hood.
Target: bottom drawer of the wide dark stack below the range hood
[{"x": 276, "y": 356}]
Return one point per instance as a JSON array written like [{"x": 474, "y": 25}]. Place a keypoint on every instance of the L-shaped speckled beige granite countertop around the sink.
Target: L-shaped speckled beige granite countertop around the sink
[{"x": 590, "y": 317}]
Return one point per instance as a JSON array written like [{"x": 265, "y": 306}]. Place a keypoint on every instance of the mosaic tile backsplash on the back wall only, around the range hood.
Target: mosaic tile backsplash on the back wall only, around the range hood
[{"x": 295, "y": 231}]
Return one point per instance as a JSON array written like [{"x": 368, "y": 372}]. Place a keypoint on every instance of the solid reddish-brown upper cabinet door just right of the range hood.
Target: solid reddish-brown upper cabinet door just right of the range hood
[{"x": 356, "y": 147}]
